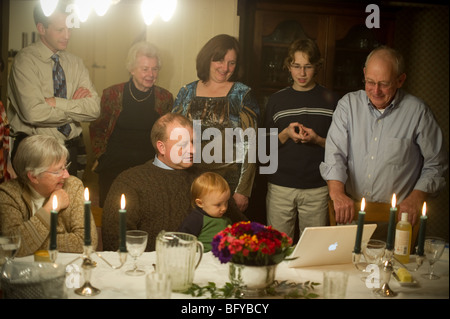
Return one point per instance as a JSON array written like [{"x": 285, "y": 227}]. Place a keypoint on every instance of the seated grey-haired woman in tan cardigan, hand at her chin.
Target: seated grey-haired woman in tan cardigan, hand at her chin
[{"x": 25, "y": 204}]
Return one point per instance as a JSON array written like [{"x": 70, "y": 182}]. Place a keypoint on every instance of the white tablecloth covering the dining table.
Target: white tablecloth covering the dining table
[{"x": 115, "y": 284}]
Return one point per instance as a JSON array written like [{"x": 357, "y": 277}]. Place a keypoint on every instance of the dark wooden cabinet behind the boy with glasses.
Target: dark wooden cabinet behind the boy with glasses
[{"x": 267, "y": 28}]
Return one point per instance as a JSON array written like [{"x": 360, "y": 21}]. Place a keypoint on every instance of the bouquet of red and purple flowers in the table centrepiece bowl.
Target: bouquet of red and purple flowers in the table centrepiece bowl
[{"x": 251, "y": 244}]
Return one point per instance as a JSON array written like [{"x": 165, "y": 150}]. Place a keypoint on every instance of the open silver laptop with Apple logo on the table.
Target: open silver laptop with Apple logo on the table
[{"x": 327, "y": 245}]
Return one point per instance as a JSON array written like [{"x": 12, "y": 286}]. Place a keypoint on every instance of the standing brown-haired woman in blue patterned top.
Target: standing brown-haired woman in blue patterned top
[{"x": 220, "y": 102}]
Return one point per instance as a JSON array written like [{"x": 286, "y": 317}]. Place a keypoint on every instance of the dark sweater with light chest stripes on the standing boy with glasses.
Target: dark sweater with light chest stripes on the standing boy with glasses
[{"x": 298, "y": 163}]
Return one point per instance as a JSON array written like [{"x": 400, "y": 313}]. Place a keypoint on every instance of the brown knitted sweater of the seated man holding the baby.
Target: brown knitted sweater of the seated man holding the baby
[{"x": 156, "y": 199}]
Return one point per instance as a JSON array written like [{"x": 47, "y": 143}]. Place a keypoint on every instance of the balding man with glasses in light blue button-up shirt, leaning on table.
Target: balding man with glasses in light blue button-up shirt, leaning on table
[{"x": 383, "y": 141}]
